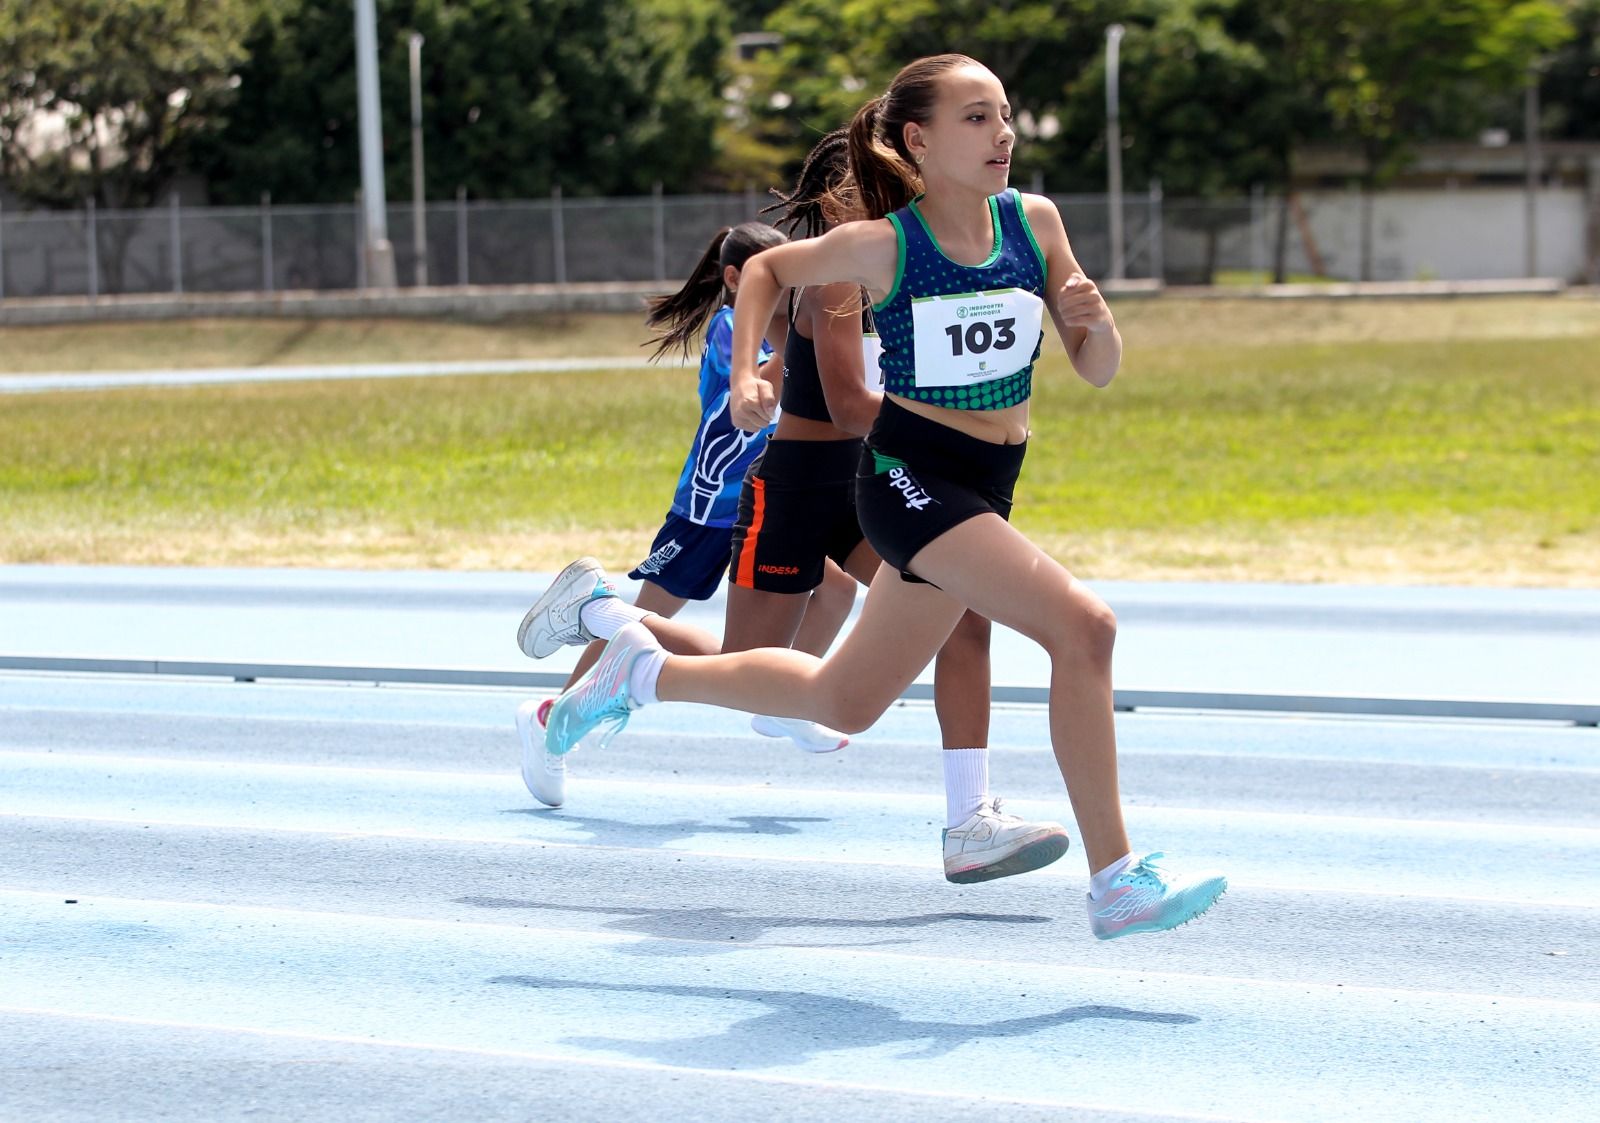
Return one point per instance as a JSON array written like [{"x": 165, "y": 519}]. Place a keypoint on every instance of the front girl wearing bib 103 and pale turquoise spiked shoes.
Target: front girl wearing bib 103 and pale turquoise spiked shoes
[{"x": 961, "y": 281}]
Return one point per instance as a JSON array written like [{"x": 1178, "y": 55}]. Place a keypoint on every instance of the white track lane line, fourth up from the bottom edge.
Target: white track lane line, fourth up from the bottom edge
[{"x": 498, "y": 780}]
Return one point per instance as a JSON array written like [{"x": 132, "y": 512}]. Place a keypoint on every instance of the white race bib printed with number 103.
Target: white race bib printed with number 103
[{"x": 972, "y": 338}]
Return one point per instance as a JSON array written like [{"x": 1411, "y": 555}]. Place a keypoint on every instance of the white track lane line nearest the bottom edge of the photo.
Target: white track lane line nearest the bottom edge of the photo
[{"x": 630, "y": 1066}]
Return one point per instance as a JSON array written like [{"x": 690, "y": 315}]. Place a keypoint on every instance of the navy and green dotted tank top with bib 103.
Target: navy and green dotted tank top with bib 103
[{"x": 964, "y": 337}]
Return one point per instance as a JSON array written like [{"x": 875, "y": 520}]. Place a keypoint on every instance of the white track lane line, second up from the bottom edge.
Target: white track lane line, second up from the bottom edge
[{"x": 567, "y": 935}]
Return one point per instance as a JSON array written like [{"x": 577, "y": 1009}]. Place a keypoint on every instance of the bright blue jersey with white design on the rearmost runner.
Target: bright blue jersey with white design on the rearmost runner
[{"x": 714, "y": 471}]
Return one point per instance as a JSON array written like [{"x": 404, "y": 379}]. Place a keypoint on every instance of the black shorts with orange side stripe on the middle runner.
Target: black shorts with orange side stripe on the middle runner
[{"x": 798, "y": 510}]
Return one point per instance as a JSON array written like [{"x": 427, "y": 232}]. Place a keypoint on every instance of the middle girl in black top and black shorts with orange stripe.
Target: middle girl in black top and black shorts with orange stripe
[{"x": 798, "y": 513}]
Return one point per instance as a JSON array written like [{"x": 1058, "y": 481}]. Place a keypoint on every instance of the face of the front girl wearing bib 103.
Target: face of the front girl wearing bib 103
[{"x": 970, "y": 138}]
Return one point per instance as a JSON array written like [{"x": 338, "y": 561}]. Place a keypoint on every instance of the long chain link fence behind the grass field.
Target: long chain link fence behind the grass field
[{"x": 658, "y": 239}]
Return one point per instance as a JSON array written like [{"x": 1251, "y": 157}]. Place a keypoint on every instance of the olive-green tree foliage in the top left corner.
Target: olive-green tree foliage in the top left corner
[{"x": 129, "y": 82}]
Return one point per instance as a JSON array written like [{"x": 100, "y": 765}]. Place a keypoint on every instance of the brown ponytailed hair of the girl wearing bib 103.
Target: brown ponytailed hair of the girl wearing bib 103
[{"x": 884, "y": 169}]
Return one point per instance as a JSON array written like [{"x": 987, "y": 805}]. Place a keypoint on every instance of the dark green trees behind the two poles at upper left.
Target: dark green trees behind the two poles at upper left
[{"x": 518, "y": 98}]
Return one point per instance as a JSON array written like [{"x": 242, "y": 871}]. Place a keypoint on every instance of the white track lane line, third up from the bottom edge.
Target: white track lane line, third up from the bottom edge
[{"x": 343, "y": 834}]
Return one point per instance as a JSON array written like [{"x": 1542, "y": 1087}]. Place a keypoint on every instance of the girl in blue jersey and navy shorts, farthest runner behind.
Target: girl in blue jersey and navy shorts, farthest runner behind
[{"x": 690, "y": 554}]
